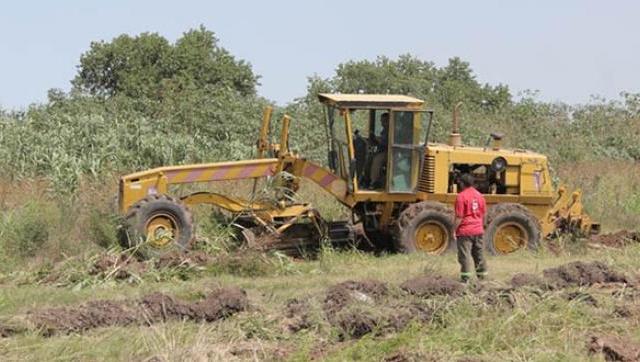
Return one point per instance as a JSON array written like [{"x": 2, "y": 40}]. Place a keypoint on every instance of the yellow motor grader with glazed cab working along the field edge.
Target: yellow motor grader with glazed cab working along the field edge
[{"x": 399, "y": 186}]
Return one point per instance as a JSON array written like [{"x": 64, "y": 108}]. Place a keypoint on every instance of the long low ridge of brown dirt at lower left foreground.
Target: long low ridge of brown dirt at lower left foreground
[{"x": 151, "y": 309}]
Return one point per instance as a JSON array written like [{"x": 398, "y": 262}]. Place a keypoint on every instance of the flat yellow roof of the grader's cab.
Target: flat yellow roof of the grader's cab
[{"x": 370, "y": 100}]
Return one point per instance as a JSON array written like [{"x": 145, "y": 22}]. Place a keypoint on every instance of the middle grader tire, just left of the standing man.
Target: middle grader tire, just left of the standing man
[{"x": 425, "y": 227}]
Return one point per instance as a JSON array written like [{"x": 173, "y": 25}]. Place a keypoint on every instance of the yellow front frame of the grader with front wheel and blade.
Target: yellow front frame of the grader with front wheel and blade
[{"x": 142, "y": 190}]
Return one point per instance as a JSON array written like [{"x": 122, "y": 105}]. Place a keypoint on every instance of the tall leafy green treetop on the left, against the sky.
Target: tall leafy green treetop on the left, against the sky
[{"x": 148, "y": 66}]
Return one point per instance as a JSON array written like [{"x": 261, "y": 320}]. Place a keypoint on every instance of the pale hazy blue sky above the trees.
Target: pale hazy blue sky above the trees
[{"x": 567, "y": 49}]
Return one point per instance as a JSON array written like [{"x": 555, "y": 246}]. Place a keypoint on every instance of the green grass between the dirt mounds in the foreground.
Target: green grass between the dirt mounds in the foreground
[{"x": 544, "y": 329}]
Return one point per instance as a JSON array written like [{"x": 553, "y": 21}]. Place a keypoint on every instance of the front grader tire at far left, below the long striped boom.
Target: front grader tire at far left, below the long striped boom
[{"x": 158, "y": 224}]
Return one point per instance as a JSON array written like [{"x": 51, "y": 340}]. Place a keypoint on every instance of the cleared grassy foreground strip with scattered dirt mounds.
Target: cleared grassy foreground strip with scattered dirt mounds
[{"x": 344, "y": 305}]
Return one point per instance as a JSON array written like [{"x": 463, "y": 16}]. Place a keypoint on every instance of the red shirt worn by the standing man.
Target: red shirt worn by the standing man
[{"x": 470, "y": 209}]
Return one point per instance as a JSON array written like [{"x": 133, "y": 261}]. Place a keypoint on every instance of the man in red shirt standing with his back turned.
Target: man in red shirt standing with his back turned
[{"x": 469, "y": 221}]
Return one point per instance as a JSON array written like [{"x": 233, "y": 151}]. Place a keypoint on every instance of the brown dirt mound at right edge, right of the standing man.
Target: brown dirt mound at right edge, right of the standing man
[{"x": 582, "y": 274}]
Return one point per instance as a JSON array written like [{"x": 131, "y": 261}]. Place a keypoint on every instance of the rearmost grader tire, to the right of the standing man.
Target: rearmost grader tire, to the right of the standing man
[{"x": 510, "y": 227}]
